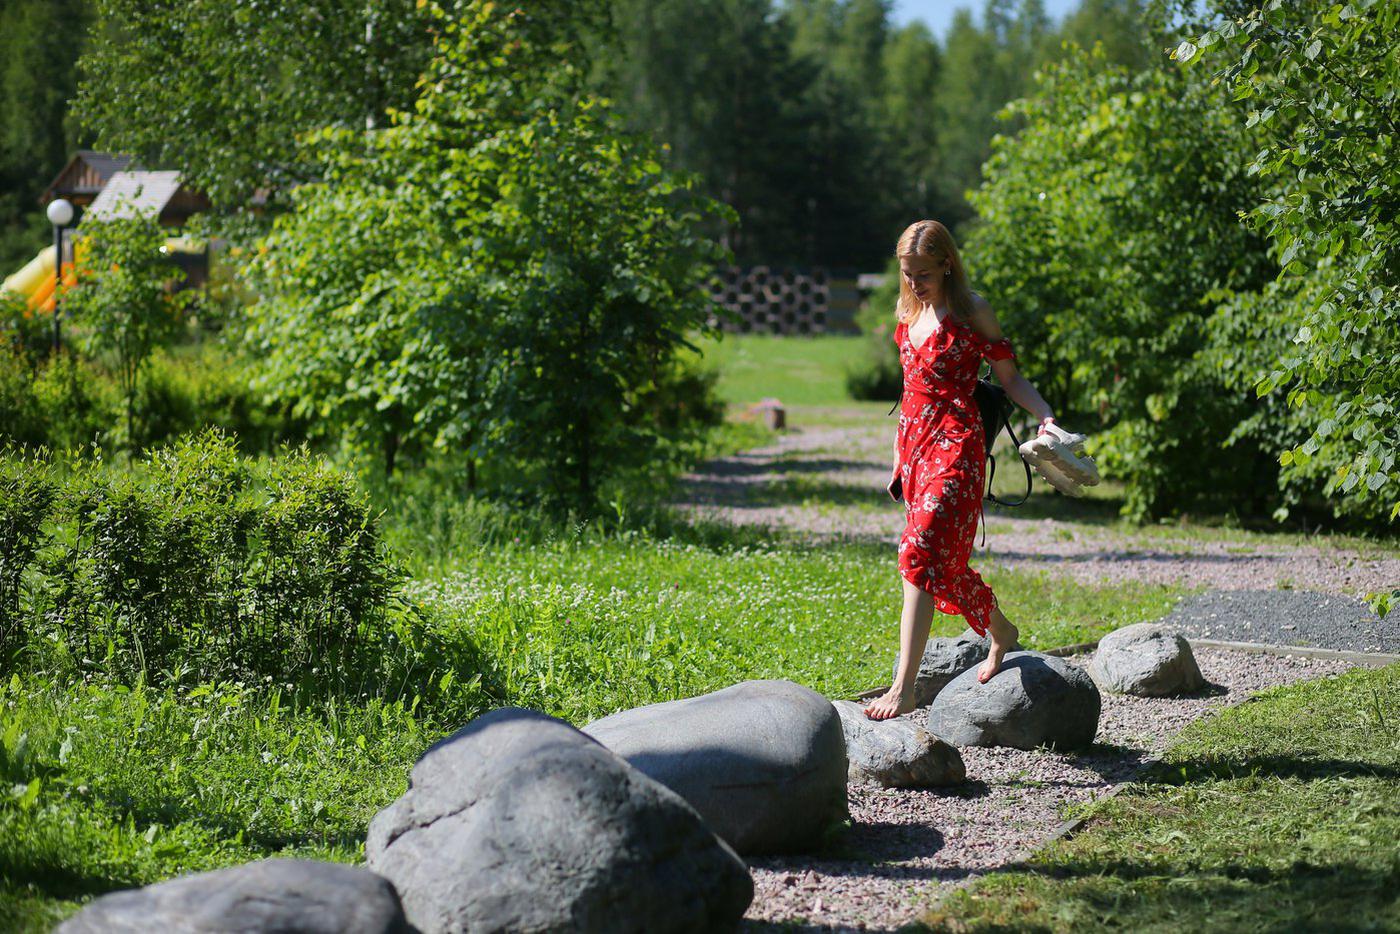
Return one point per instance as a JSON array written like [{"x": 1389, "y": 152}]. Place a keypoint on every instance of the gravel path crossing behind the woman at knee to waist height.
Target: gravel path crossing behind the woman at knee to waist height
[{"x": 824, "y": 478}]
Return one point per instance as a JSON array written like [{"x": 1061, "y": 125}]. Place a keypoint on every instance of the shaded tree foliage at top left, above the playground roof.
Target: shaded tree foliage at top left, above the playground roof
[{"x": 223, "y": 89}]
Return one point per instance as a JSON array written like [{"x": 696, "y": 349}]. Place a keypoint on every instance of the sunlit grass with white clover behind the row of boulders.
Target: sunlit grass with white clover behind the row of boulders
[{"x": 117, "y": 788}]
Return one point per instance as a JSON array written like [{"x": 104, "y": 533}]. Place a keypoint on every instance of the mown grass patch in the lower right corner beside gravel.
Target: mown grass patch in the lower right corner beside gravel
[{"x": 1277, "y": 816}]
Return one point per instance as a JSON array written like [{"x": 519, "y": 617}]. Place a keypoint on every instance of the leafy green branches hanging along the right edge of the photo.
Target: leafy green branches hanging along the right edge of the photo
[{"x": 1319, "y": 83}]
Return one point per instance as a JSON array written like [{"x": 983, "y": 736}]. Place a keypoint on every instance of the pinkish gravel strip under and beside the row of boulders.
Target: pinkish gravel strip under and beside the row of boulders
[{"x": 905, "y": 846}]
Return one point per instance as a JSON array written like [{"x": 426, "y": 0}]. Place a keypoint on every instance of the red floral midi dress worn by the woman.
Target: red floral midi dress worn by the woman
[{"x": 941, "y": 466}]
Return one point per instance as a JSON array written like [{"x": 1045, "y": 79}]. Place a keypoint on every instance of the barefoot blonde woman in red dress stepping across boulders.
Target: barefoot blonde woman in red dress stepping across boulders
[{"x": 944, "y": 334}]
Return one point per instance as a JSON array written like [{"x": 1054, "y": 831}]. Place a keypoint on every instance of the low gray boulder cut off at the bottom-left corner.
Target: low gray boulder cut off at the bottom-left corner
[{"x": 274, "y": 897}]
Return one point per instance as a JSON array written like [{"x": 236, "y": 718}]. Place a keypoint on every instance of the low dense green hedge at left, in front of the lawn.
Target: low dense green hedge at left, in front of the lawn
[{"x": 202, "y": 561}]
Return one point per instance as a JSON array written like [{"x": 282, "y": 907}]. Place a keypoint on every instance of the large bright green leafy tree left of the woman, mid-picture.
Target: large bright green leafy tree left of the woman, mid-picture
[{"x": 503, "y": 274}]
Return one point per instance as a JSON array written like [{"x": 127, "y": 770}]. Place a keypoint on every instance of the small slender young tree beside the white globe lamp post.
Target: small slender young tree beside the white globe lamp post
[{"x": 124, "y": 302}]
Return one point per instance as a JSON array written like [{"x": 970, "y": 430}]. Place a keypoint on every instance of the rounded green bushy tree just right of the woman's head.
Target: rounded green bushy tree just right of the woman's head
[{"x": 1109, "y": 233}]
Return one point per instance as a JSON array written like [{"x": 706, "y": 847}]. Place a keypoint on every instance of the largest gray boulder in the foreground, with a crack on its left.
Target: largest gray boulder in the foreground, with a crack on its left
[{"x": 520, "y": 823}]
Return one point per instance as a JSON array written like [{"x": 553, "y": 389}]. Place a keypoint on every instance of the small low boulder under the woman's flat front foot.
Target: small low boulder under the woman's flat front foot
[{"x": 897, "y": 753}]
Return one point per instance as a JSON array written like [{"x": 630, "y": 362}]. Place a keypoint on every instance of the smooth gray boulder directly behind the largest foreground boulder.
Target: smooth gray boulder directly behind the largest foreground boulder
[{"x": 764, "y": 761}]
